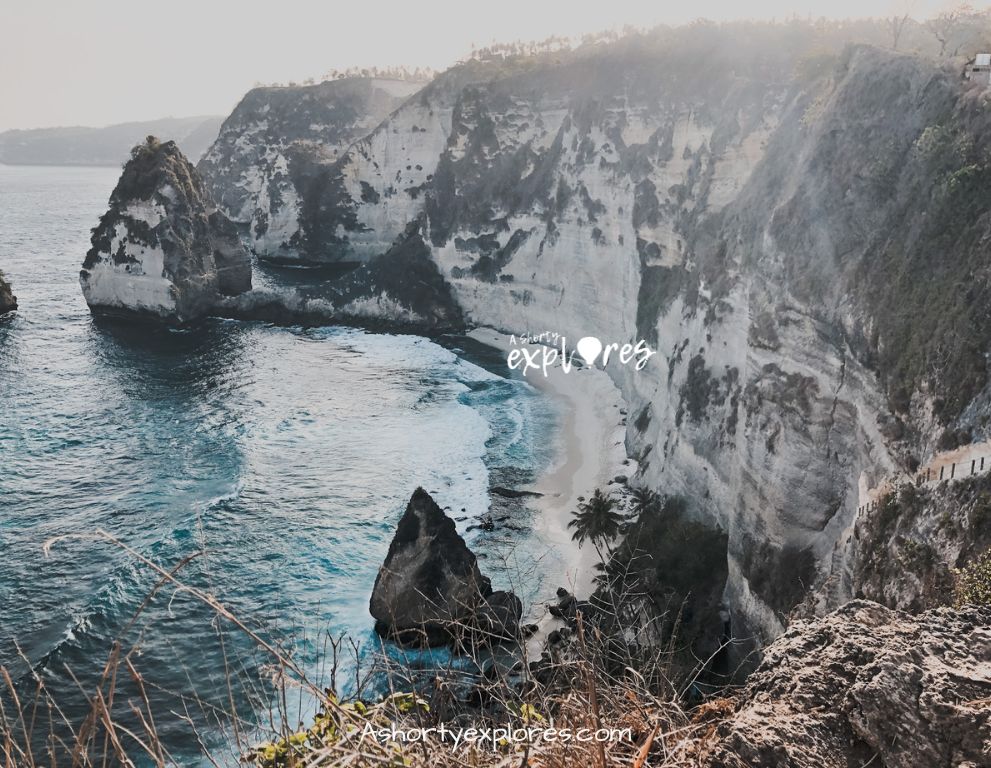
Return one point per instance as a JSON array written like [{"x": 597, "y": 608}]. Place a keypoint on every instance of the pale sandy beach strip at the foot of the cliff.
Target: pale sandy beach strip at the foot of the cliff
[{"x": 590, "y": 453}]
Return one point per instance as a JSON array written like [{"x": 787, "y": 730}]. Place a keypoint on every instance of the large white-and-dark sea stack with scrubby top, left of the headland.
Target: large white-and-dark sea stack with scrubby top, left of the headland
[{"x": 163, "y": 249}]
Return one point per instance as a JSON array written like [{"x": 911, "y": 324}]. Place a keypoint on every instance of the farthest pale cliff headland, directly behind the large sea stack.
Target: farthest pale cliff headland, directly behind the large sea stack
[{"x": 276, "y": 155}]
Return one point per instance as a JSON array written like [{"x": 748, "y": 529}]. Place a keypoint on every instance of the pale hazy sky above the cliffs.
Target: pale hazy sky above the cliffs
[{"x": 96, "y": 62}]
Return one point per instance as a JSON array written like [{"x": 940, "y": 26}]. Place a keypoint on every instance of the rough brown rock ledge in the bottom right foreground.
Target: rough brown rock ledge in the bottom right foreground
[{"x": 866, "y": 685}]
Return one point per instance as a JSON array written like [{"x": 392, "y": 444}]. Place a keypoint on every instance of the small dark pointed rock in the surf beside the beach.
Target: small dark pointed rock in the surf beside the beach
[{"x": 430, "y": 591}]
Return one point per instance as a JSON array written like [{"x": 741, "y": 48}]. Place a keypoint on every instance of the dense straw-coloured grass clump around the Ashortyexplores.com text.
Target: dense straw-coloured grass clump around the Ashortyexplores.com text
[{"x": 578, "y": 695}]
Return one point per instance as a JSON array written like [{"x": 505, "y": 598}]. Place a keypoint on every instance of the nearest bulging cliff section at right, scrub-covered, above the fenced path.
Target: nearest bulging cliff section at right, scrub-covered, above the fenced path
[{"x": 818, "y": 343}]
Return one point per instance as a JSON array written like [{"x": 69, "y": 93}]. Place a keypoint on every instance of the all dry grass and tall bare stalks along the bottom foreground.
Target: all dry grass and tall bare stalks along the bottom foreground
[{"x": 588, "y": 682}]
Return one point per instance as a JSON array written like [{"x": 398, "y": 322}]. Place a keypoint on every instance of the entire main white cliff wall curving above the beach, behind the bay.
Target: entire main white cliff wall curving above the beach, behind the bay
[{"x": 731, "y": 215}]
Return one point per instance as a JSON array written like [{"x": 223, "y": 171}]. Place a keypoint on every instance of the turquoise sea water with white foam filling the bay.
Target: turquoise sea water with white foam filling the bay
[{"x": 284, "y": 456}]
